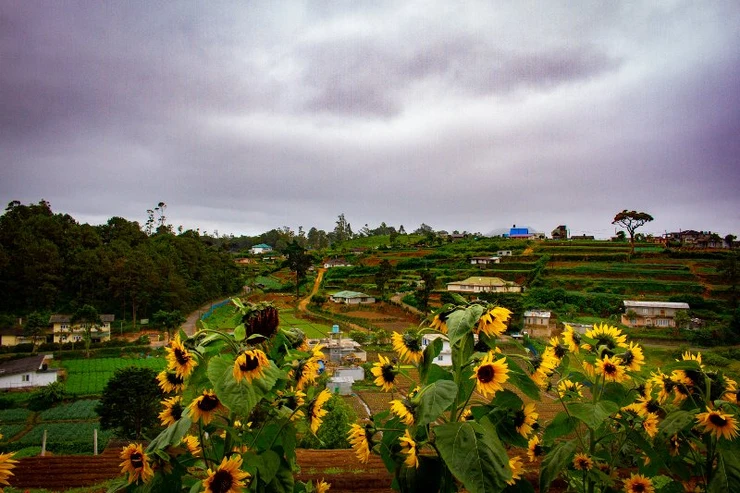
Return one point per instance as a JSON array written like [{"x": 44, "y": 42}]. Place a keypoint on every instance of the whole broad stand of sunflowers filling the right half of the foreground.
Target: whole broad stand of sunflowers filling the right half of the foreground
[{"x": 462, "y": 425}]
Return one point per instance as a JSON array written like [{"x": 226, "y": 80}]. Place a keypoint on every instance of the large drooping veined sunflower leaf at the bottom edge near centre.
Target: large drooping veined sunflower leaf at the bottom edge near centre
[{"x": 471, "y": 458}]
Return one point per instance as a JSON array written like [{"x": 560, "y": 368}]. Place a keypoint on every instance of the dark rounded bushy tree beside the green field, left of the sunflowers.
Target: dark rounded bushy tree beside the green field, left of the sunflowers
[{"x": 130, "y": 402}]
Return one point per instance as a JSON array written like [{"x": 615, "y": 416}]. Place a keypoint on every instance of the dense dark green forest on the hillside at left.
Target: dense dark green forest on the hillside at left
[{"x": 50, "y": 262}]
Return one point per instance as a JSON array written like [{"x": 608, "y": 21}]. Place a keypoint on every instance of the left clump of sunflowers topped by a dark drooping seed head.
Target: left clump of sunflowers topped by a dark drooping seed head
[{"x": 234, "y": 407}]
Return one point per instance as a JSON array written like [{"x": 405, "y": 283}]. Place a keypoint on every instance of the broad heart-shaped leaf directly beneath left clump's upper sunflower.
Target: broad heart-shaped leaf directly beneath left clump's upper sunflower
[{"x": 239, "y": 397}]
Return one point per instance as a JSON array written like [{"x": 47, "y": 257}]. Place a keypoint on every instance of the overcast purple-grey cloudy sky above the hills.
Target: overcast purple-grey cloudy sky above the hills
[{"x": 246, "y": 116}]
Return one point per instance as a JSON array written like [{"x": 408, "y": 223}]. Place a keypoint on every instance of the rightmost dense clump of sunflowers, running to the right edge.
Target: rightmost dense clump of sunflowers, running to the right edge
[{"x": 676, "y": 424}]
